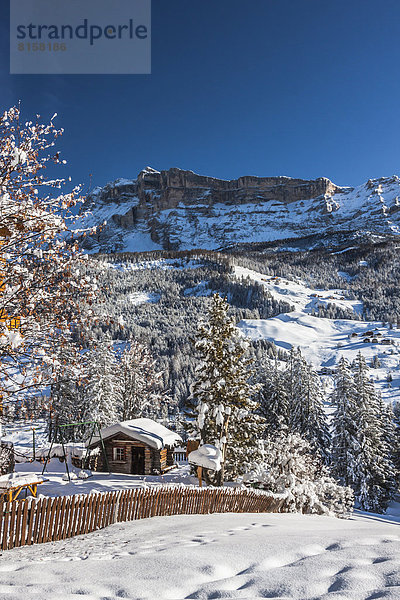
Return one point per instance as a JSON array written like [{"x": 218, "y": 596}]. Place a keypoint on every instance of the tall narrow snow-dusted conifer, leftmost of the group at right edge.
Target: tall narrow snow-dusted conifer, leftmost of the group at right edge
[{"x": 345, "y": 444}]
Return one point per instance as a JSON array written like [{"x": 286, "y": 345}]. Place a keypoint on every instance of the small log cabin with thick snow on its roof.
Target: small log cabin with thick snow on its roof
[{"x": 137, "y": 447}]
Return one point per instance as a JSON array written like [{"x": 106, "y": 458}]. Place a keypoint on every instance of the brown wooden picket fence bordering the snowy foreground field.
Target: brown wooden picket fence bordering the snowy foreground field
[{"x": 26, "y": 522}]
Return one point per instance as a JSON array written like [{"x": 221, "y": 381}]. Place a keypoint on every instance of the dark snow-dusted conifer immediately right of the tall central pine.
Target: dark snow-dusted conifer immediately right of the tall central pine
[{"x": 272, "y": 396}]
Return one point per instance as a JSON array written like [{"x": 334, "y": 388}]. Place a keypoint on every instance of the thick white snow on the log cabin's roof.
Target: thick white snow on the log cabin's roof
[{"x": 144, "y": 430}]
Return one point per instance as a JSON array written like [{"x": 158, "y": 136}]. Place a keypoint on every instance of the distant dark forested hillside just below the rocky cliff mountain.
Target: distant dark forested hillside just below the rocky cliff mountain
[{"x": 160, "y": 297}]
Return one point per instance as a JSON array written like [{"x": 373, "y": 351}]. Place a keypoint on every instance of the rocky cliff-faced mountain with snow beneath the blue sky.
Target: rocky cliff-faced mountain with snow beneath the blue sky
[{"x": 177, "y": 210}]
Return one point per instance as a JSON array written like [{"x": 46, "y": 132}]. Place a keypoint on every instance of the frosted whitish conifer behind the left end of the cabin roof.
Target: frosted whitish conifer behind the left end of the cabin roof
[{"x": 102, "y": 401}]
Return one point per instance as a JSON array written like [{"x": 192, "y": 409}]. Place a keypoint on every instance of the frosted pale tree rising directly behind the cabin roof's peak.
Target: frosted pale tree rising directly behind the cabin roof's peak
[{"x": 137, "y": 382}]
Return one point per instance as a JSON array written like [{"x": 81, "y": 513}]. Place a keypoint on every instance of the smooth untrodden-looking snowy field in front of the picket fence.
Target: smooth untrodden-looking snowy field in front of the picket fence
[{"x": 290, "y": 557}]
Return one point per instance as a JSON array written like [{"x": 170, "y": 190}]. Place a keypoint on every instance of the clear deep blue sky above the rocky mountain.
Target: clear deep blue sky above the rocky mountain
[{"x": 305, "y": 88}]
